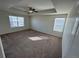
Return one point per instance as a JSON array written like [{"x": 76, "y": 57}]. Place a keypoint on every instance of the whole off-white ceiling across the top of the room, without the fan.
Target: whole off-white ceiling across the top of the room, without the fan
[{"x": 62, "y": 6}]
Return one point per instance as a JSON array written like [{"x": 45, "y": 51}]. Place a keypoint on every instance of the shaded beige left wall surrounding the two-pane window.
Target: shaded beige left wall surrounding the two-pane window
[{"x": 4, "y": 23}]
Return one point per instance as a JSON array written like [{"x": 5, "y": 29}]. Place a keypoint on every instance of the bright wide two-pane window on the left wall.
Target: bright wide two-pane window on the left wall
[{"x": 16, "y": 21}]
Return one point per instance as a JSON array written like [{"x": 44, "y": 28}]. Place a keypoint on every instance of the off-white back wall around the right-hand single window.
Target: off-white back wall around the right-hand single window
[{"x": 45, "y": 23}]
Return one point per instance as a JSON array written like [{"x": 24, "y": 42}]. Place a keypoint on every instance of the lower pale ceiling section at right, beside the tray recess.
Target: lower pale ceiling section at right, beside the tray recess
[{"x": 64, "y": 6}]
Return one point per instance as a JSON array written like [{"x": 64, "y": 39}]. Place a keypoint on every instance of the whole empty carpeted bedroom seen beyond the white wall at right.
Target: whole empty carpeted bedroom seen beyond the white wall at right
[{"x": 32, "y": 28}]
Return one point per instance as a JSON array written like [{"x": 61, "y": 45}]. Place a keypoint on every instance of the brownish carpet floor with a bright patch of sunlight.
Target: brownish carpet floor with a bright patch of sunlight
[{"x": 31, "y": 44}]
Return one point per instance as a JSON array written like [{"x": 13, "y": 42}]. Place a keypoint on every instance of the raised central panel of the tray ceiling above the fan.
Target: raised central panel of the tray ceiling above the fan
[{"x": 37, "y": 4}]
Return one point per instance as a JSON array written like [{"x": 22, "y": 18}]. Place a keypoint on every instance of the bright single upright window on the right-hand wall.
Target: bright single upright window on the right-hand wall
[{"x": 59, "y": 24}]
